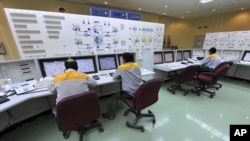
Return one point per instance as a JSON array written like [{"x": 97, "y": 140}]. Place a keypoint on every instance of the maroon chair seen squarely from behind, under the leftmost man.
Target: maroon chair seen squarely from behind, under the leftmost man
[{"x": 78, "y": 112}]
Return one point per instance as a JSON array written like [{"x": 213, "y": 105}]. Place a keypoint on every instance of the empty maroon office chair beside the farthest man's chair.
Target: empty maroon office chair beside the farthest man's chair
[{"x": 181, "y": 77}]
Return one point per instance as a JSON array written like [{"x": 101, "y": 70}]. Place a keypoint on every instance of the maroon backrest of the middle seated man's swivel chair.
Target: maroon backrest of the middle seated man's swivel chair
[{"x": 147, "y": 93}]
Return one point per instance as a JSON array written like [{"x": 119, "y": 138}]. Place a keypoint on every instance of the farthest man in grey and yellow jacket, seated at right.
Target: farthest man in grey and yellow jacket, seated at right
[{"x": 213, "y": 59}]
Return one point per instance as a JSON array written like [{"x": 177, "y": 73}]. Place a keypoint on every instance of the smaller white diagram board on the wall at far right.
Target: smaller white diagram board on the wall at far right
[{"x": 237, "y": 40}]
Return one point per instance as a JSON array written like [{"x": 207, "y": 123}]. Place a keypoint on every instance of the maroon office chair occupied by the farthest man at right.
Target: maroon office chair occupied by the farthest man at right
[{"x": 209, "y": 79}]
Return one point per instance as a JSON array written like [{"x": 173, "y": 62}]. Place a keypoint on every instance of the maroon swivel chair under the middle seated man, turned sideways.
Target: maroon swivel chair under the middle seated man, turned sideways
[{"x": 145, "y": 95}]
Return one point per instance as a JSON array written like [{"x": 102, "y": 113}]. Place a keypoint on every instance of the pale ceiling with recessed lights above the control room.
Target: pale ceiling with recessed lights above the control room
[{"x": 172, "y": 8}]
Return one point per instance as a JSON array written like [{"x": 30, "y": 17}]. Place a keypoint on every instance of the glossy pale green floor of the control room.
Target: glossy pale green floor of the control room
[{"x": 178, "y": 118}]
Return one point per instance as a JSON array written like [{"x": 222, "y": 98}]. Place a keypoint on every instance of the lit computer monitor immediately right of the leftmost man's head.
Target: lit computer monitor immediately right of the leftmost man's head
[{"x": 86, "y": 64}]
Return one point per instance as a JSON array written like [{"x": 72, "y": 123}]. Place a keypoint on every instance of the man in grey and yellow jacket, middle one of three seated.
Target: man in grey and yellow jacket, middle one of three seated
[{"x": 130, "y": 74}]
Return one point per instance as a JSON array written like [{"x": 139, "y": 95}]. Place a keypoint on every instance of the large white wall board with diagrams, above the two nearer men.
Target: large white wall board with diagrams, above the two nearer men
[{"x": 51, "y": 34}]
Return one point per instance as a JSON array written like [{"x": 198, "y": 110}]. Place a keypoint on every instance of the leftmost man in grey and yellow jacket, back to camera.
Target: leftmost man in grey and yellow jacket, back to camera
[{"x": 70, "y": 82}]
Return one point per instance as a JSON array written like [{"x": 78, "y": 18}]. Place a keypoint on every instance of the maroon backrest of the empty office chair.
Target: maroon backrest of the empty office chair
[{"x": 188, "y": 73}]
